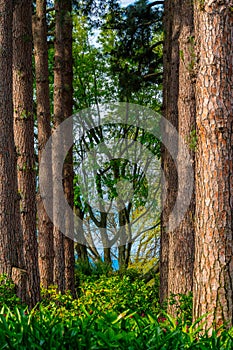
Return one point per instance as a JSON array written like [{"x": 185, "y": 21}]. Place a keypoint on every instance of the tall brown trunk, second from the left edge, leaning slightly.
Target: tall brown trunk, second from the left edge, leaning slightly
[{"x": 24, "y": 139}]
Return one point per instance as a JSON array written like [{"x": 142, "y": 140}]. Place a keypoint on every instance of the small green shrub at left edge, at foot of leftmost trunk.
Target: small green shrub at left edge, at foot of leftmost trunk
[{"x": 7, "y": 292}]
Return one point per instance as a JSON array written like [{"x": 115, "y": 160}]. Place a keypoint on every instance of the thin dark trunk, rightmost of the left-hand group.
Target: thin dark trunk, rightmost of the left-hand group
[{"x": 68, "y": 166}]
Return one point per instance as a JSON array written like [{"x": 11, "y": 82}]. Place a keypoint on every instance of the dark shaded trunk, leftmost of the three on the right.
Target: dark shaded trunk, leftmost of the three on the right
[{"x": 170, "y": 112}]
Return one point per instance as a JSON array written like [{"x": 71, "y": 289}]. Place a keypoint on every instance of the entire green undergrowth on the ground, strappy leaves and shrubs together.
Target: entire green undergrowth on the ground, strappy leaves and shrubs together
[{"x": 115, "y": 312}]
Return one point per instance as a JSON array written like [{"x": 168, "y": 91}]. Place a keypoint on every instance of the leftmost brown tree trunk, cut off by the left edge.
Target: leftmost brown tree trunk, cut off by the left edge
[{"x": 7, "y": 150}]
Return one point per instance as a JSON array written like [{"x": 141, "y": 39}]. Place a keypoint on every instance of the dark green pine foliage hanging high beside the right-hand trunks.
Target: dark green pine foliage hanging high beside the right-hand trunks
[{"x": 131, "y": 38}]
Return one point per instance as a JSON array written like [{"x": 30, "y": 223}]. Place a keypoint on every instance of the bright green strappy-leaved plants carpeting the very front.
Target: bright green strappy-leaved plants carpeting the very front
[{"x": 48, "y": 329}]
